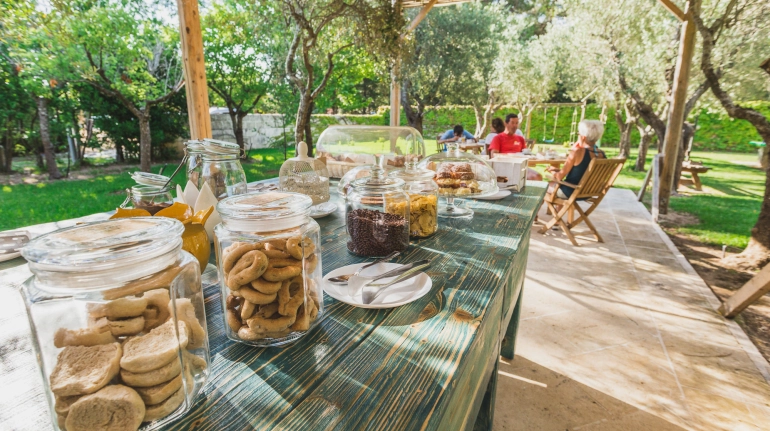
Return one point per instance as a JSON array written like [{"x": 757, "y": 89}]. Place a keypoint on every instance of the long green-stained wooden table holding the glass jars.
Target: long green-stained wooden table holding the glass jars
[{"x": 428, "y": 365}]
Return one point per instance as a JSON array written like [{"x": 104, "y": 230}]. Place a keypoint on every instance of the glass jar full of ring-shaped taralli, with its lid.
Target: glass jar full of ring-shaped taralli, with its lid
[{"x": 269, "y": 260}]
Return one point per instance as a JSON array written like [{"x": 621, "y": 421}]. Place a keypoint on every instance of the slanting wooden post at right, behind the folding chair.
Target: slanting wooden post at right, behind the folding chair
[{"x": 673, "y": 138}]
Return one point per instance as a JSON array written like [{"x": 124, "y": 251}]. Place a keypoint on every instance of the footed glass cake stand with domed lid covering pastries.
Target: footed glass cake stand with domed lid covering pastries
[{"x": 460, "y": 175}]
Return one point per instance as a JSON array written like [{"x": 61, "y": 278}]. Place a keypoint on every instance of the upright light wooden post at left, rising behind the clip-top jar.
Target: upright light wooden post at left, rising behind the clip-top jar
[{"x": 194, "y": 69}]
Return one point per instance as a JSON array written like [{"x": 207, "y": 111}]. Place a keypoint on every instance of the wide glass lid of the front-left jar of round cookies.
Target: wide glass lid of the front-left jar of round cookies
[{"x": 104, "y": 246}]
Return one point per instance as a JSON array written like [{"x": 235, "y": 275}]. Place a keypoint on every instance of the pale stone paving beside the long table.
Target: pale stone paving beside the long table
[{"x": 623, "y": 335}]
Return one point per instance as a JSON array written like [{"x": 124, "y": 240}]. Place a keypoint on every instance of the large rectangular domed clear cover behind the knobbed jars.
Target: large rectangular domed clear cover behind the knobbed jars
[{"x": 396, "y": 141}]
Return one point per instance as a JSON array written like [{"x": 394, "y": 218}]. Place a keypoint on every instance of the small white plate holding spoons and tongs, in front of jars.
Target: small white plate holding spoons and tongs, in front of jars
[{"x": 393, "y": 296}]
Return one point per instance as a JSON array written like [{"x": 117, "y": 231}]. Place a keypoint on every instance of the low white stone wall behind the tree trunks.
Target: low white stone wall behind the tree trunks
[{"x": 259, "y": 130}]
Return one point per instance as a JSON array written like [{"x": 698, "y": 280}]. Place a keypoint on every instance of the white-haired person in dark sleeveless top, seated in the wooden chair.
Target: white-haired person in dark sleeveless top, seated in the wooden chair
[{"x": 589, "y": 133}]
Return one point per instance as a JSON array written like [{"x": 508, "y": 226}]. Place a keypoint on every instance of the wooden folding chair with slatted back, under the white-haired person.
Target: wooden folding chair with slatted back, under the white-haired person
[{"x": 597, "y": 180}]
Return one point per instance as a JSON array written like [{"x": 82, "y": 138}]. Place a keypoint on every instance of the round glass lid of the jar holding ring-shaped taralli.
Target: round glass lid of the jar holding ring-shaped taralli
[{"x": 264, "y": 211}]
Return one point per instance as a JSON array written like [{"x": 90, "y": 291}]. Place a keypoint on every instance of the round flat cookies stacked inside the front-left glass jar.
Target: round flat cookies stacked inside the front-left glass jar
[{"x": 124, "y": 368}]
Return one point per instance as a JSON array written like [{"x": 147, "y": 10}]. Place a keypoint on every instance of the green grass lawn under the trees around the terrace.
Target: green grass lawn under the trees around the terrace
[{"x": 726, "y": 213}]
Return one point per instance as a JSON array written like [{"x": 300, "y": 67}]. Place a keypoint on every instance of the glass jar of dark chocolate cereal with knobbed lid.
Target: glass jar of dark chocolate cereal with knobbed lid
[{"x": 373, "y": 231}]
